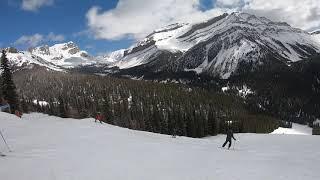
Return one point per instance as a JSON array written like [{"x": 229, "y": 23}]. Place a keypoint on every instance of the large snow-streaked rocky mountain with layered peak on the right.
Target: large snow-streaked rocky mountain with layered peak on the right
[{"x": 219, "y": 46}]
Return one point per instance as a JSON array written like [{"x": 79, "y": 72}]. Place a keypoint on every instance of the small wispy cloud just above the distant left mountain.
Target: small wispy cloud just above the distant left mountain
[{"x": 37, "y": 39}]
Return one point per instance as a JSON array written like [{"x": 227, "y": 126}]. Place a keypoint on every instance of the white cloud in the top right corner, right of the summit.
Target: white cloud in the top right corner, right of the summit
[{"x": 304, "y": 14}]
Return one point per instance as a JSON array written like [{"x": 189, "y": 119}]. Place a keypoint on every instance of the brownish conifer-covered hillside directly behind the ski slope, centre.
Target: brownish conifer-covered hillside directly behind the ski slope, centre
[{"x": 142, "y": 105}]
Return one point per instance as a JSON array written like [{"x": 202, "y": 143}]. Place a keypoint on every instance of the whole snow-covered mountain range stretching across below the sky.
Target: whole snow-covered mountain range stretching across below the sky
[{"x": 220, "y": 47}]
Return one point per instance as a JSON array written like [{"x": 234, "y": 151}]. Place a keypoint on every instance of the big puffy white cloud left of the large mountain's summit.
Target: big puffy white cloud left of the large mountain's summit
[{"x": 139, "y": 17}]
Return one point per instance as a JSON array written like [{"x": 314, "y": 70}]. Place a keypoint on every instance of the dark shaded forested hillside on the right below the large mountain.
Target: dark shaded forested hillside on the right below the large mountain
[{"x": 291, "y": 93}]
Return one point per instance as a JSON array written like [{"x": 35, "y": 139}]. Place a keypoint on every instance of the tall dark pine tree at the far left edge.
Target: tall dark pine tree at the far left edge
[{"x": 8, "y": 88}]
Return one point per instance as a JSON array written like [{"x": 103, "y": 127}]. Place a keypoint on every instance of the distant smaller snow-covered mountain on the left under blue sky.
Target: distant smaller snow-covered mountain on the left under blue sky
[{"x": 57, "y": 57}]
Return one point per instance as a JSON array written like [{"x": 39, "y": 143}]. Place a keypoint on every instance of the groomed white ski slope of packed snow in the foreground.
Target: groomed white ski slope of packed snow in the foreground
[{"x": 50, "y": 148}]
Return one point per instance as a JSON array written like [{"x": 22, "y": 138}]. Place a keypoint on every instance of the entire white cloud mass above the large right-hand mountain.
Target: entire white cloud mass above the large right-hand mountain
[{"x": 135, "y": 19}]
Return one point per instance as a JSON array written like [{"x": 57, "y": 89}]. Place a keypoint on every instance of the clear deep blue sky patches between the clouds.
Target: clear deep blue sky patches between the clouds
[{"x": 64, "y": 17}]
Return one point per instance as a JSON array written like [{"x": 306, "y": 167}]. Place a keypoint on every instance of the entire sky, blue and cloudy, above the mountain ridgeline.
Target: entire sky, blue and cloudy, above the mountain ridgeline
[{"x": 101, "y": 26}]
